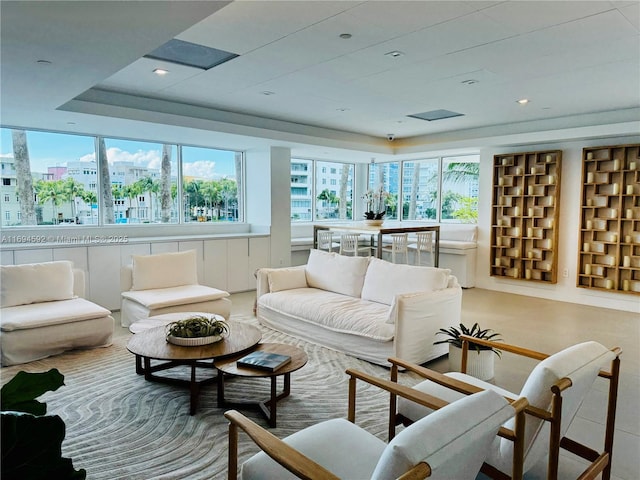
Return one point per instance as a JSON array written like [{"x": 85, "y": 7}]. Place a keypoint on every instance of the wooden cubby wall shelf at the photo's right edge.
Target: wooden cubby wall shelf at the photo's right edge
[{"x": 609, "y": 248}]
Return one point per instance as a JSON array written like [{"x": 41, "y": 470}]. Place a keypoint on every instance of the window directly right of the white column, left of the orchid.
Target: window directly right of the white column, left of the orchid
[{"x": 314, "y": 201}]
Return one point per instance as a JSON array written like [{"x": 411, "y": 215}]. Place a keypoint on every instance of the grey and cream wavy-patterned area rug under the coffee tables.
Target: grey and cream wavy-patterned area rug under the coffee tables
[{"x": 121, "y": 427}]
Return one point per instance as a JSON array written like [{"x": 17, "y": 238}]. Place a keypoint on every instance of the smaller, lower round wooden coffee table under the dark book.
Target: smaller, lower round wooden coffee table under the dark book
[{"x": 228, "y": 366}]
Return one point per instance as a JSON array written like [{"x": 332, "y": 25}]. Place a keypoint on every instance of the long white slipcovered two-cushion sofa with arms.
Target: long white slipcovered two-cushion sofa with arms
[{"x": 365, "y": 307}]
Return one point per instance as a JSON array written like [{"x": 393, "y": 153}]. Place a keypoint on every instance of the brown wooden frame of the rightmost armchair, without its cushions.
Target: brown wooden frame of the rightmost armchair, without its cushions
[{"x": 600, "y": 461}]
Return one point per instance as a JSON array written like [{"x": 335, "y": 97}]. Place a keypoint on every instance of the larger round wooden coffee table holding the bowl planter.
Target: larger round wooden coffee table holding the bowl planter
[{"x": 152, "y": 345}]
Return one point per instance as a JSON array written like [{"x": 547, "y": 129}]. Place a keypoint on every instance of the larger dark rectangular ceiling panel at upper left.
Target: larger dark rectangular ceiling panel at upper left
[{"x": 190, "y": 54}]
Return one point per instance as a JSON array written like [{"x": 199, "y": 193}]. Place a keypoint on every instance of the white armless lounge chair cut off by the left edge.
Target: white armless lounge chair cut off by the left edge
[{"x": 43, "y": 312}]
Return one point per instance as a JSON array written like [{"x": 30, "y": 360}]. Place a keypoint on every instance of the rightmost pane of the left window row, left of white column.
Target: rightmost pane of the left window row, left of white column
[{"x": 210, "y": 185}]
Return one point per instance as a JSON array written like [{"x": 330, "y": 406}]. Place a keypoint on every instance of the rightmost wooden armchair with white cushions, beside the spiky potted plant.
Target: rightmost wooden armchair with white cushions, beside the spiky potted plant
[{"x": 555, "y": 389}]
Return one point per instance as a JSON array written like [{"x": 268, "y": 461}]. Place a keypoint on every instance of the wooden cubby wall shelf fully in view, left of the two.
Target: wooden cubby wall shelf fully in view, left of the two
[{"x": 524, "y": 219}]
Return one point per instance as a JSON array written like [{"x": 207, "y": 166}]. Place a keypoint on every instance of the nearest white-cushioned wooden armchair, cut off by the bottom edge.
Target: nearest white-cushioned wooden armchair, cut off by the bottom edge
[{"x": 451, "y": 443}]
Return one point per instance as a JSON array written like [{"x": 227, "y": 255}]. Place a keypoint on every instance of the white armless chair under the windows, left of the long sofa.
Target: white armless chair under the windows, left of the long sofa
[{"x": 167, "y": 283}]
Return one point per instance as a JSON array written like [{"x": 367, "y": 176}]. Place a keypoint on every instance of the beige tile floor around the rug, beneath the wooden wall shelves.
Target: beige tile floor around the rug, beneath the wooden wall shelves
[{"x": 550, "y": 326}]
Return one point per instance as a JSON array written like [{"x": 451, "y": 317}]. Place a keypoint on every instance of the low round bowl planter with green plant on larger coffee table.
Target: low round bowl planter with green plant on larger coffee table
[{"x": 196, "y": 330}]
